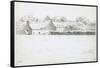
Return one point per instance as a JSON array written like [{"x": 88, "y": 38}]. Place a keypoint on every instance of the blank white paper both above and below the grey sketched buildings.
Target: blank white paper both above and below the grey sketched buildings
[{"x": 51, "y": 49}]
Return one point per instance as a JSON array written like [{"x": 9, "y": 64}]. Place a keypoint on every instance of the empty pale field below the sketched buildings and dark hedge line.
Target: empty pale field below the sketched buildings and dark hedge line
[{"x": 49, "y": 49}]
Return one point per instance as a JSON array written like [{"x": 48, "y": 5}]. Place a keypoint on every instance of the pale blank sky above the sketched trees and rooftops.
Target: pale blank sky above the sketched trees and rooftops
[{"x": 42, "y": 10}]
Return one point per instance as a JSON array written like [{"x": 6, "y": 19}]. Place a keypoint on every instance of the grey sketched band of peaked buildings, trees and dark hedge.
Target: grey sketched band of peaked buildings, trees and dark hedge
[{"x": 55, "y": 26}]
